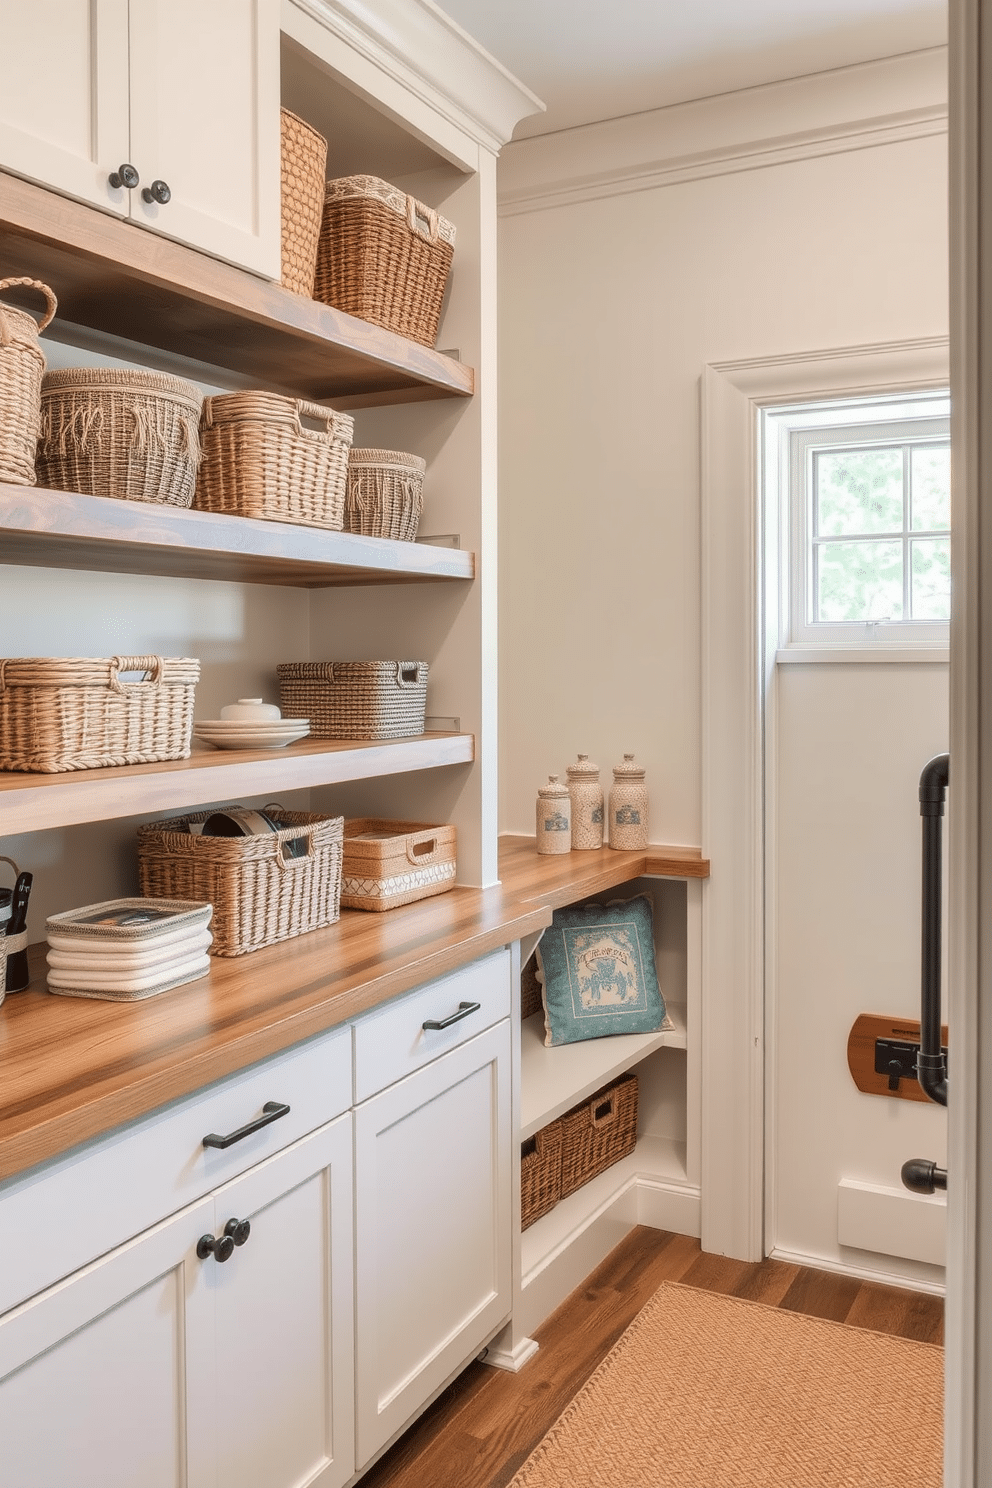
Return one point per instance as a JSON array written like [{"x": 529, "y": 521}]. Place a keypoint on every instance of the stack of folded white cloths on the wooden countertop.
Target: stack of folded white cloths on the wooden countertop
[{"x": 126, "y": 950}]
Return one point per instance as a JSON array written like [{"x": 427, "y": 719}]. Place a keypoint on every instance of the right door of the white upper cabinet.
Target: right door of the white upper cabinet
[{"x": 206, "y": 121}]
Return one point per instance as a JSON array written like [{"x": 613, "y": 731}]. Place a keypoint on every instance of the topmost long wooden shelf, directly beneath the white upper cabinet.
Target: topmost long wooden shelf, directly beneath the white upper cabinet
[{"x": 121, "y": 280}]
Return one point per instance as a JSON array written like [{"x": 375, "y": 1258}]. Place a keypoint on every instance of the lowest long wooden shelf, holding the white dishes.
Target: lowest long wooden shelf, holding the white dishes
[{"x": 35, "y": 803}]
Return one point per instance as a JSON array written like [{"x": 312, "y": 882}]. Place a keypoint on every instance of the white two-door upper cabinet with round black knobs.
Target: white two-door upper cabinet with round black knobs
[{"x": 185, "y": 93}]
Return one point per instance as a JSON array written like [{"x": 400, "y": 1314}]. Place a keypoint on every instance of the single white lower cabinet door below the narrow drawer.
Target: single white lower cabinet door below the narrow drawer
[{"x": 432, "y": 1230}]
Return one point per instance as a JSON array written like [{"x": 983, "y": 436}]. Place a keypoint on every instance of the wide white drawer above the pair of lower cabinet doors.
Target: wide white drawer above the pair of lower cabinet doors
[{"x": 62, "y": 1216}]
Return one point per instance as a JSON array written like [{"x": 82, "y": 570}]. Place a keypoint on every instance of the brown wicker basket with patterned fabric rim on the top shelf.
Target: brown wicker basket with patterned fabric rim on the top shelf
[{"x": 384, "y": 257}]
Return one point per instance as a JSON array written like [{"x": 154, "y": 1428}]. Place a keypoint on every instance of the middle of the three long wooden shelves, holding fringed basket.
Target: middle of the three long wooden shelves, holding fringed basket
[{"x": 68, "y": 530}]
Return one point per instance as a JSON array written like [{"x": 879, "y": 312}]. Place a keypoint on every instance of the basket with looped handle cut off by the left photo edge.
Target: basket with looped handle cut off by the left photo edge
[{"x": 22, "y": 368}]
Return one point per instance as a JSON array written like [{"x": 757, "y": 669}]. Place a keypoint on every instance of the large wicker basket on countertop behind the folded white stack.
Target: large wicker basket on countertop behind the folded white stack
[{"x": 260, "y": 895}]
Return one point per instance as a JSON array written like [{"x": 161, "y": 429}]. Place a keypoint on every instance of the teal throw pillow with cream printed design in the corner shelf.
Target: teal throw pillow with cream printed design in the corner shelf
[{"x": 597, "y": 965}]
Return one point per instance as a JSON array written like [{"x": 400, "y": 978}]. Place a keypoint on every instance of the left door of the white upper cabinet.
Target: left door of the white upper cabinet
[{"x": 65, "y": 96}]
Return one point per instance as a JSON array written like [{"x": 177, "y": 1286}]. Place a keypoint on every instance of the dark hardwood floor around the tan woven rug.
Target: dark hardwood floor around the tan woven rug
[{"x": 487, "y": 1423}]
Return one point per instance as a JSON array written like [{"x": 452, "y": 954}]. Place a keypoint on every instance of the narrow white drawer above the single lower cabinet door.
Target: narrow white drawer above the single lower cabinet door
[{"x": 393, "y": 1041}]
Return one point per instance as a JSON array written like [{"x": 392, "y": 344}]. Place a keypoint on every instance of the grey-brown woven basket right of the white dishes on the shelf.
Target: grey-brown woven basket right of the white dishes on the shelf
[{"x": 356, "y": 700}]
